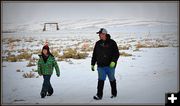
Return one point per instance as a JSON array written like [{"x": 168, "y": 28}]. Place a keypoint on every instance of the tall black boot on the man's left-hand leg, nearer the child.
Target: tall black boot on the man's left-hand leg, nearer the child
[{"x": 99, "y": 90}]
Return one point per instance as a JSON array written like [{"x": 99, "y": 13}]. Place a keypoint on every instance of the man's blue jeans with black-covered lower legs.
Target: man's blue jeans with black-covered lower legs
[{"x": 102, "y": 73}]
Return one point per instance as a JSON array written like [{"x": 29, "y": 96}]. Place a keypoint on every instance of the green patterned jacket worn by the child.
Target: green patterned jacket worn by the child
[{"x": 47, "y": 68}]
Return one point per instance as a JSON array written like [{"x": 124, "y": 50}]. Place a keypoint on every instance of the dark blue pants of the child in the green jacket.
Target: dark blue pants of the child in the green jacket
[{"x": 46, "y": 87}]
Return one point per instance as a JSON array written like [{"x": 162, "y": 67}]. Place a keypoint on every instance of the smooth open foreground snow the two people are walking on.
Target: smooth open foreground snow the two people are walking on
[{"x": 143, "y": 78}]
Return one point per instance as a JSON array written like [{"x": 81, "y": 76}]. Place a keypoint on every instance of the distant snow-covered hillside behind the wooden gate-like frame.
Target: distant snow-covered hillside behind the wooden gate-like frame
[{"x": 88, "y": 25}]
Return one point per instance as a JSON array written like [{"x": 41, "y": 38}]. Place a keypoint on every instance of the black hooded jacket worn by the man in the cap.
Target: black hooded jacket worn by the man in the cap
[{"x": 105, "y": 52}]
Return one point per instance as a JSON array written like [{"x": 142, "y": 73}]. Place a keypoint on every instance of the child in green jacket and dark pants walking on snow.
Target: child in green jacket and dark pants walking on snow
[{"x": 46, "y": 65}]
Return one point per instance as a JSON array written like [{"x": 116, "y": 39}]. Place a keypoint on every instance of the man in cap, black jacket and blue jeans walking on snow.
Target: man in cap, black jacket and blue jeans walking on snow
[{"x": 105, "y": 54}]
